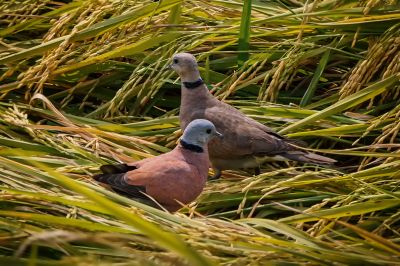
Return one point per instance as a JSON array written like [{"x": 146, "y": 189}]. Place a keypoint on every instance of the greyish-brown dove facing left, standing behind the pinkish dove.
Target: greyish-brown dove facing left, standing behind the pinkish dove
[{"x": 246, "y": 142}]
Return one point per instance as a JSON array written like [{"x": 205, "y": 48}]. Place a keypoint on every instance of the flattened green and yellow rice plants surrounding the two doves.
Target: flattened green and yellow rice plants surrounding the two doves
[{"x": 84, "y": 83}]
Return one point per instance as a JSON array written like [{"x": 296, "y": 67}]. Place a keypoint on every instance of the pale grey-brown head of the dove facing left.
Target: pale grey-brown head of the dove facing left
[{"x": 185, "y": 65}]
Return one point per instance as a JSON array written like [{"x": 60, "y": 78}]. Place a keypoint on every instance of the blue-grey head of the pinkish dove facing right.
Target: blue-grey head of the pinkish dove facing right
[{"x": 199, "y": 132}]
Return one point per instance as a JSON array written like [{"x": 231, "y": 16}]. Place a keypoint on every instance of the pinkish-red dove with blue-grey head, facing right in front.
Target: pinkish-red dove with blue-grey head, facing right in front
[{"x": 178, "y": 176}]
